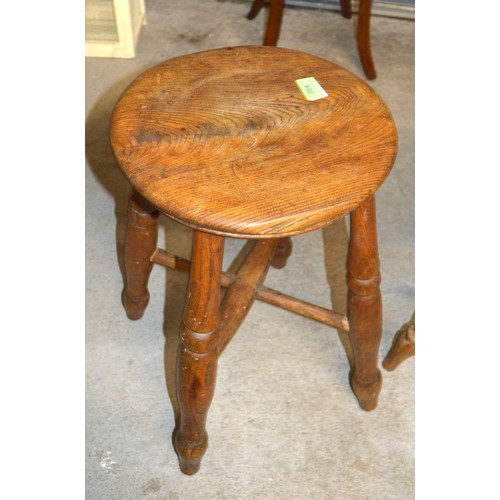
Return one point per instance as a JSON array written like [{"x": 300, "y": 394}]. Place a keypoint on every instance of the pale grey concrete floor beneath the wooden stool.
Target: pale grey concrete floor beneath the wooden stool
[{"x": 283, "y": 422}]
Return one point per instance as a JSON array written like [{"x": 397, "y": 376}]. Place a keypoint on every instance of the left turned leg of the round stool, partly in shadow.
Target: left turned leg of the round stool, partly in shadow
[{"x": 140, "y": 243}]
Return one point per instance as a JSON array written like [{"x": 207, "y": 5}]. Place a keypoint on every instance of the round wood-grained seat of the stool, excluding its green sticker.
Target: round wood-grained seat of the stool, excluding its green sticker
[{"x": 224, "y": 141}]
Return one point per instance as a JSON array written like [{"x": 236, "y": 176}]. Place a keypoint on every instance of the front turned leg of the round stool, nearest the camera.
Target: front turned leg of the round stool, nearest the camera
[{"x": 197, "y": 358}]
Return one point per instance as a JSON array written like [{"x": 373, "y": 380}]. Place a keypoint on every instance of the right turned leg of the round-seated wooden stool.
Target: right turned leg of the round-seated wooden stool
[{"x": 364, "y": 304}]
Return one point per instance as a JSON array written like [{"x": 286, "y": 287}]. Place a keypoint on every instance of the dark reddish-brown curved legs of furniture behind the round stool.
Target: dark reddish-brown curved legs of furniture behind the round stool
[{"x": 275, "y": 17}]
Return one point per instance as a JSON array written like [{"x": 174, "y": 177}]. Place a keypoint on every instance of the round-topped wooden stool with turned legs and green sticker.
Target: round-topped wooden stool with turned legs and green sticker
[{"x": 224, "y": 142}]
